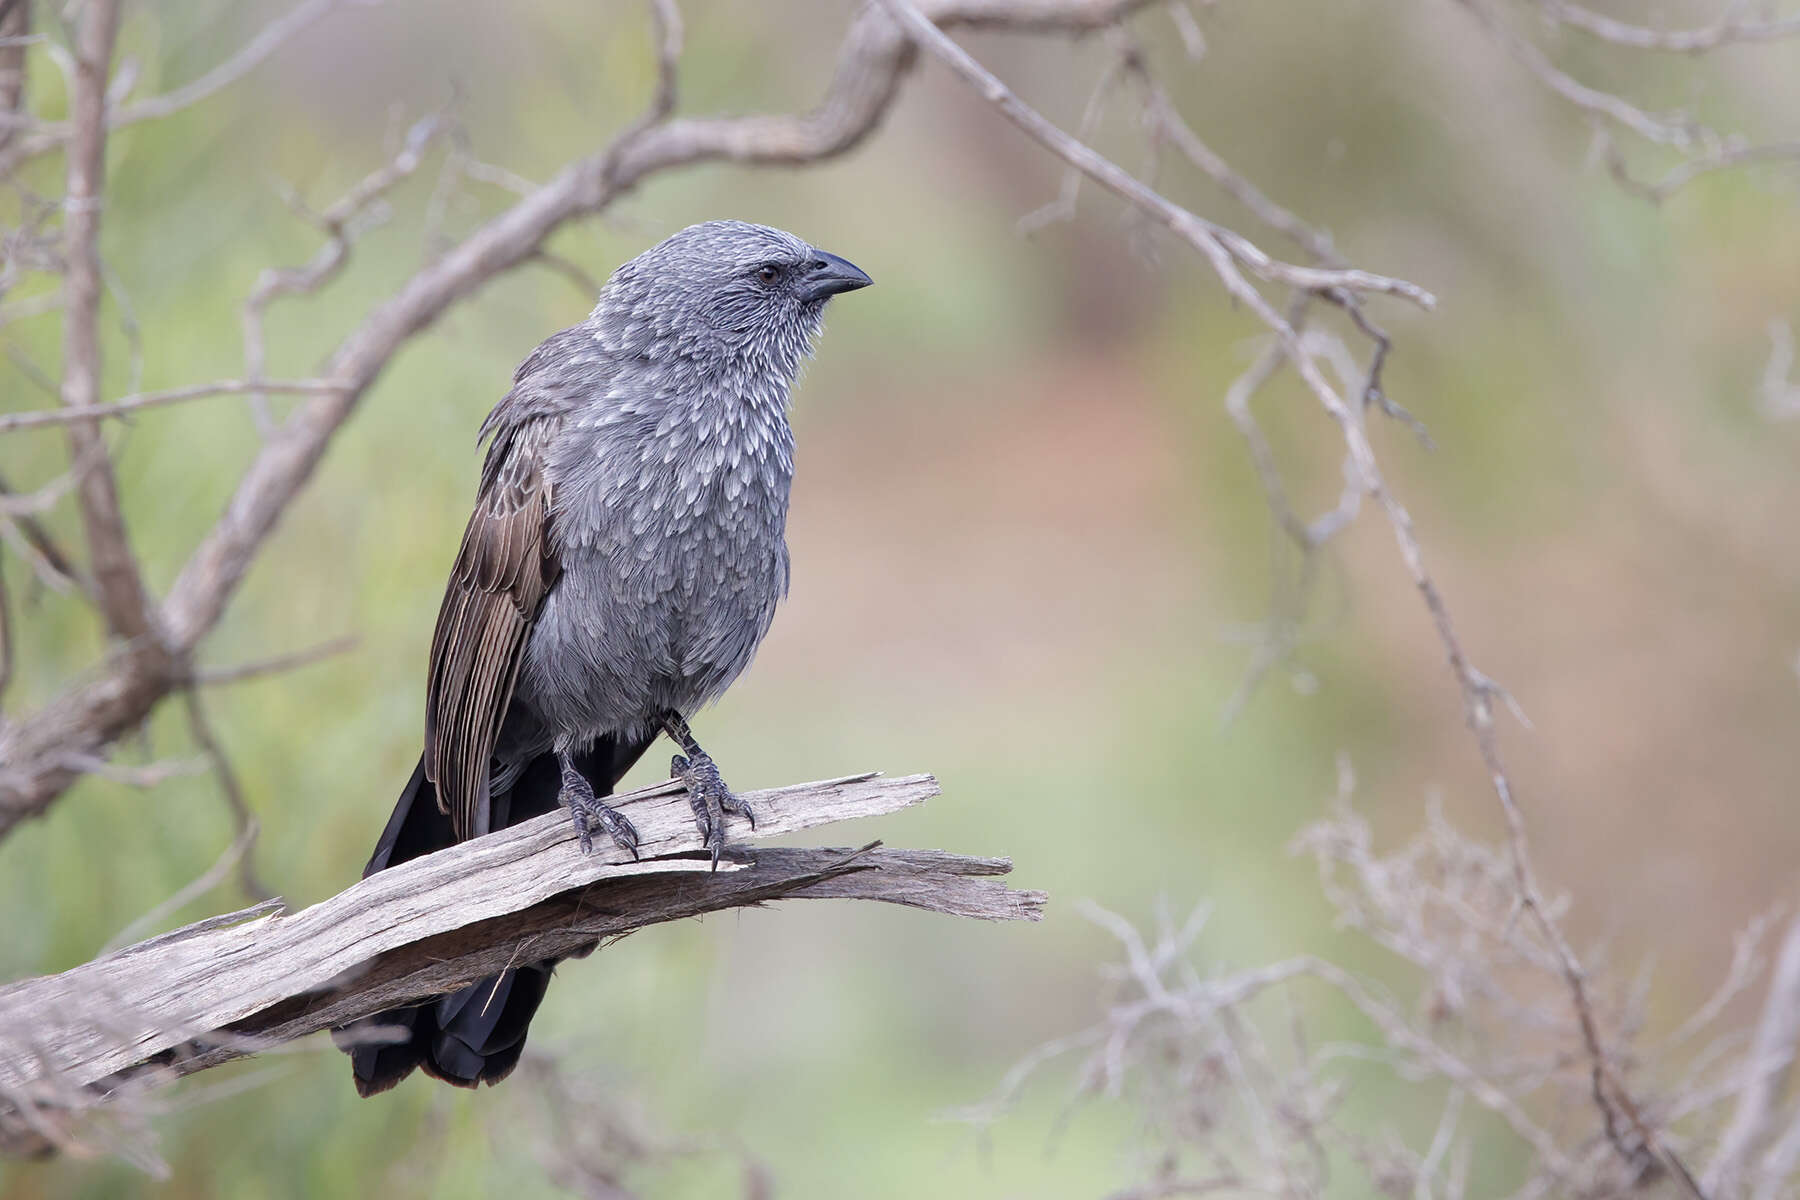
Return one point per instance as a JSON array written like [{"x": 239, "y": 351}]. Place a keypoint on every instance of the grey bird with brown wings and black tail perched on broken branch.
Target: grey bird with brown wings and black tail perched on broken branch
[{"x": 624, "y": 562}]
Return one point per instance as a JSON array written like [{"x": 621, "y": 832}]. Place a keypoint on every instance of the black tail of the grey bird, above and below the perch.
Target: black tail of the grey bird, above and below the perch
[{"x": 478, "y": 1034}]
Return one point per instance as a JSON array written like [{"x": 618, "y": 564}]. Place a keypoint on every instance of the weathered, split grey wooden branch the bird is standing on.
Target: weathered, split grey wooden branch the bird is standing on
[{"x": 179, "y": 1003}]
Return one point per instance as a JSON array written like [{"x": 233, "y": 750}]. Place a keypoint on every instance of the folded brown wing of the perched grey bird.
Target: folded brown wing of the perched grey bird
[{"x": 501, "y": 575}]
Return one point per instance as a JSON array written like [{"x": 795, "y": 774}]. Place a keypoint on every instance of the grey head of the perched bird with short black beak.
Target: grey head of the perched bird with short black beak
[{"x": 724, "y": 291}]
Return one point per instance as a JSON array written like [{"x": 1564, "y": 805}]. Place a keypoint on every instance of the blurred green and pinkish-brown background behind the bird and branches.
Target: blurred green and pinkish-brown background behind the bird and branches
[{"x": 1029, "y": 548}]
